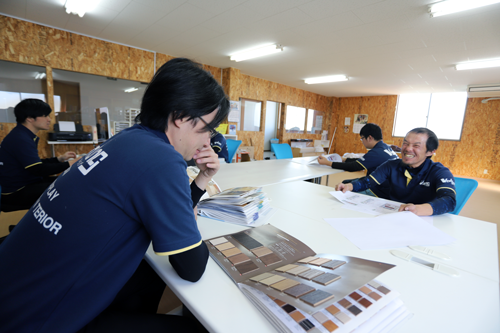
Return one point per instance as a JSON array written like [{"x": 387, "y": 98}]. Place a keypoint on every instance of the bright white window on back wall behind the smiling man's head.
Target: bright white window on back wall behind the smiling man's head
[{"x": 443, "y": 113}]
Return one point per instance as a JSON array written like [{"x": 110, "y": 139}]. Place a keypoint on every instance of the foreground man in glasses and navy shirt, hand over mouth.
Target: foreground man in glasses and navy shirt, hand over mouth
[{"x": 75, "y": 261}]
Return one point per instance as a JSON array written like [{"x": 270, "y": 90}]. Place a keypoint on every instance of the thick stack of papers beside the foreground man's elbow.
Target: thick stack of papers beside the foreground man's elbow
[{"x": 240, "y": 205}]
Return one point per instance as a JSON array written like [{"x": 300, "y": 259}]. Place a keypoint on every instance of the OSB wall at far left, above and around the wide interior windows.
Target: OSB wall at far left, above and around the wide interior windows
[{"x": 33, "y": 44}]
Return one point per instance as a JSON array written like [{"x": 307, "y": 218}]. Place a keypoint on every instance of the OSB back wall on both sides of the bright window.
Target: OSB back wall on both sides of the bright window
[{"x": 478, "y": 149}]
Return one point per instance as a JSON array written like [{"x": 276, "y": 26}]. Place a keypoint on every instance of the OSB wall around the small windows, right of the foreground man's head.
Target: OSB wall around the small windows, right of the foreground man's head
[{"x": 238, "y": 85}]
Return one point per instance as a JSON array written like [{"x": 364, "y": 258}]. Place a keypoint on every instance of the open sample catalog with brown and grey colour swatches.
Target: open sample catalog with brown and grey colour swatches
[{"x": 298, "y": 290}]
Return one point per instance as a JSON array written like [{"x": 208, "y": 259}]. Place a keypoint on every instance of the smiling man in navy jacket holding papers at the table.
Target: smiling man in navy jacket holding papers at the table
[{"x": 423, "y": 186}]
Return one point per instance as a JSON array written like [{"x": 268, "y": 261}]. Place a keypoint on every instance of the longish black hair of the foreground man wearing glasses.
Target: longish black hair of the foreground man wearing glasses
[{"x": 180, "y": 89}]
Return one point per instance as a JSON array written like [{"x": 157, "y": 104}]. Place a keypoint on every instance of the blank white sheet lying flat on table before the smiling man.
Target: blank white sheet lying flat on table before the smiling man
[{"x": 390, "y": 231}]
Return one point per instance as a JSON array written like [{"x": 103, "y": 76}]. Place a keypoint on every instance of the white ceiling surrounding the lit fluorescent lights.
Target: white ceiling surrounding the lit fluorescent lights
[{"x": 386, "y": 47}]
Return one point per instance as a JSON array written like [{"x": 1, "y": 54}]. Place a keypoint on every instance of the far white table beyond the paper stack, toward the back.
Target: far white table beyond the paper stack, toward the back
[{"x": 267, "y": 172}]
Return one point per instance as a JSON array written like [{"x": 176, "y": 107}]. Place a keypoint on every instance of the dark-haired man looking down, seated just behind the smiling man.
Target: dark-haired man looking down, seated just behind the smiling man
[{"x": 379, "y": 152}]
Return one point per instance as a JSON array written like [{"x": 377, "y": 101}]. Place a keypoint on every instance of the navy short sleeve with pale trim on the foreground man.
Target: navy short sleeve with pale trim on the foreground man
[{"x": 161, "y": 197}]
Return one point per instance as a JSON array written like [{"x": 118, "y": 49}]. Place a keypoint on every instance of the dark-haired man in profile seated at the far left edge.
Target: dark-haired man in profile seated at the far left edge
[{"x": 23, "y": 175}]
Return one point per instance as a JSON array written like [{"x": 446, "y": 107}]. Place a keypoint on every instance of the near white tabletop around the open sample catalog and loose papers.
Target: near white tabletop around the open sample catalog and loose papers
[{"x": 469, "y": 303}]
